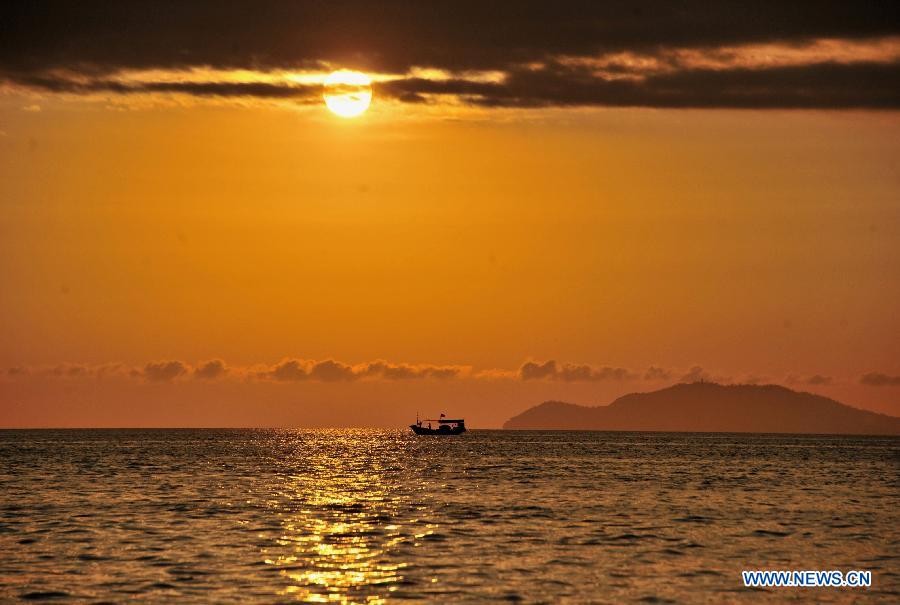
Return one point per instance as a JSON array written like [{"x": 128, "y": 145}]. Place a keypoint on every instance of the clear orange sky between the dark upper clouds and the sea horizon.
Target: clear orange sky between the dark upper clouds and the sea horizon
[{"x": 753, "y": 244}]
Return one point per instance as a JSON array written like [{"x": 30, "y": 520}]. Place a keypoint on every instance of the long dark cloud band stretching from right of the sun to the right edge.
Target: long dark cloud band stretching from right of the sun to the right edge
[{"x": 825, "y": 85}]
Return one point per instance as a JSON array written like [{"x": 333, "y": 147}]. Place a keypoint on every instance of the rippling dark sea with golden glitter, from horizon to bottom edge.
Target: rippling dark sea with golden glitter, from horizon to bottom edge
[{"x": 368, "y": 516}]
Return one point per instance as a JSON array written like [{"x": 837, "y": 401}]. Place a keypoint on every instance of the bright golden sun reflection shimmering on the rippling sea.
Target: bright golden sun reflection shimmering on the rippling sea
[{"x": 339, "y": 540}]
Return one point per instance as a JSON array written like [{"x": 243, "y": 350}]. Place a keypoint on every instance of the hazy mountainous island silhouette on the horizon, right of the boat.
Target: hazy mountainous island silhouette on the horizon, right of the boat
[{"x": 711, "y": 407}]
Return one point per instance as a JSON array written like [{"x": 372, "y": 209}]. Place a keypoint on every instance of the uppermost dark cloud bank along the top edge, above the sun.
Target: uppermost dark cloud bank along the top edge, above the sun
[{"x": 394, "y": 35}]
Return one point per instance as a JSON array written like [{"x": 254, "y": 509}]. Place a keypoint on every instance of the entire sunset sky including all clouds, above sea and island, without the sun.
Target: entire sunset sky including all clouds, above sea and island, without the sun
[{"x": 568, "y": 200}]
